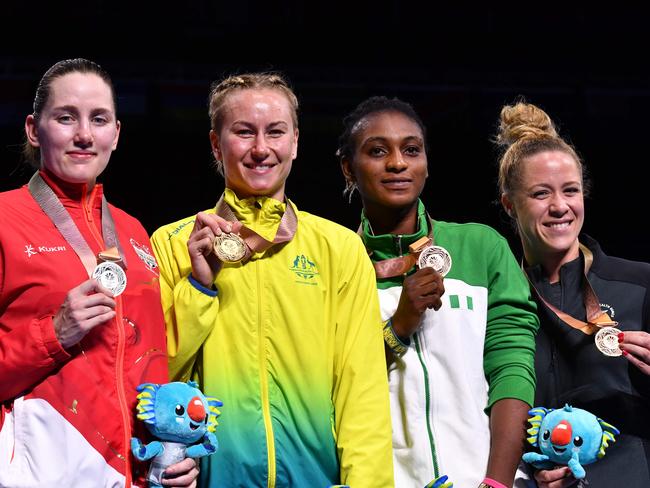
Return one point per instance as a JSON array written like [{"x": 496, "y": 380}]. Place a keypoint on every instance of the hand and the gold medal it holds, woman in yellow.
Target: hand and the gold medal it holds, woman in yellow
[{"x": 212, "y": 242}]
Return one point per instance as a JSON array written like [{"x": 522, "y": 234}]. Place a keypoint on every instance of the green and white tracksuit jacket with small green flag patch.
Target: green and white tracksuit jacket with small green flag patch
[{"x": 477, "y": 349}]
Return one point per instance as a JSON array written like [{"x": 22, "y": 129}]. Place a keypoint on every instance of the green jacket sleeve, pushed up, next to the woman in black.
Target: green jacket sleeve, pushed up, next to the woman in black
[{"x": 512, "y": 323}]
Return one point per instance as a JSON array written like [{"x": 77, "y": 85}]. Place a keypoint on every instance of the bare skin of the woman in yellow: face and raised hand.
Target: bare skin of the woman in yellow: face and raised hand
[{"x": 257, "y": 143}]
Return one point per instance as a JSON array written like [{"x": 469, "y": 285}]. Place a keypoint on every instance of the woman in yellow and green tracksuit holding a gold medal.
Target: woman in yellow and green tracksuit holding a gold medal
[{"x": 289, "y": 337}]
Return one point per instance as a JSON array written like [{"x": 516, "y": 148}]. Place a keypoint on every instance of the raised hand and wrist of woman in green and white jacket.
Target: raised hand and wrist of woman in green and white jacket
[{"x": 420, "y": 291}]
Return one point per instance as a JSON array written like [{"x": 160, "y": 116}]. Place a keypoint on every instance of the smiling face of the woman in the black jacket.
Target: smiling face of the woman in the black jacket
[{"x": 548, "y": 206}]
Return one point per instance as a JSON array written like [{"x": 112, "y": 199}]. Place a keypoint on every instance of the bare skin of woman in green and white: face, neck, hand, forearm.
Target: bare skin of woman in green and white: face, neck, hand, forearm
[{"x": 389, "y": 166}]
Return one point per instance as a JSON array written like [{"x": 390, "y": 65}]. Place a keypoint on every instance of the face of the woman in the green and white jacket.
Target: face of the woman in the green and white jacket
[{"x": 389, "y": 163}]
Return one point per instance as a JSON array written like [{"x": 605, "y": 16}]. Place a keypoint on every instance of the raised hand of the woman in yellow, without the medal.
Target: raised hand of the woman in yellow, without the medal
[{"x": 205, "y": 265}]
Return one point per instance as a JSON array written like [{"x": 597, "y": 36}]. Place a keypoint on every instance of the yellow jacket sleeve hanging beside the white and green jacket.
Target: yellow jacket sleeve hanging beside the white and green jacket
[{"x": 360, "y": 394}]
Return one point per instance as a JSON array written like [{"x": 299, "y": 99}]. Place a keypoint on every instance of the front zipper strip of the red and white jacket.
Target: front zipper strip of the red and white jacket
[{"x": 119, "y": 360}]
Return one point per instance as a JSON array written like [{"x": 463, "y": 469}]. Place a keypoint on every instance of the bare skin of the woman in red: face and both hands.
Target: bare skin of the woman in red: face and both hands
[{"x": 76, "y": 133}]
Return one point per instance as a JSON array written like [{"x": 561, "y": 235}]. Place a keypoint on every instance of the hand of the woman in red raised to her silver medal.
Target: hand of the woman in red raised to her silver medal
[{"x": 84, "y": 308}]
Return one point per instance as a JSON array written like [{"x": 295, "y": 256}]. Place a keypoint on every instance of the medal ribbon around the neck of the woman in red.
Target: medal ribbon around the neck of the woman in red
[{"x": 54, "y": 209}]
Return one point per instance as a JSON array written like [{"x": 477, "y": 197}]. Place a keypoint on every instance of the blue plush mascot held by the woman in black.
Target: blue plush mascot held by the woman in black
[{"x": 568, "y": 436}]
